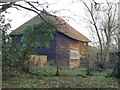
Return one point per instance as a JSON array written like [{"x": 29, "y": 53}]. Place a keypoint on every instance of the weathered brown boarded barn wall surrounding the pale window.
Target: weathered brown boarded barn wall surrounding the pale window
[{"x": 63, "y": 46}]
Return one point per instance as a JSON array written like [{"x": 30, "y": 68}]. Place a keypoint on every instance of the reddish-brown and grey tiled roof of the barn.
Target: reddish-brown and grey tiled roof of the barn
[{"x": 63, "y": 27}]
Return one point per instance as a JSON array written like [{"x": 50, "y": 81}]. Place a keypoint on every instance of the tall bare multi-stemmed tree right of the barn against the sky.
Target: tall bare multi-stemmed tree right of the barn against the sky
[{"x": 103, "y": 19}]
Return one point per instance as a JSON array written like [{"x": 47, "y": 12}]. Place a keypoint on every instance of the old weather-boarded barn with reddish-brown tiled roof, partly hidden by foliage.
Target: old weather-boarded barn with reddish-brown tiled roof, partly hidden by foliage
[{"x": 67, "y": 47}]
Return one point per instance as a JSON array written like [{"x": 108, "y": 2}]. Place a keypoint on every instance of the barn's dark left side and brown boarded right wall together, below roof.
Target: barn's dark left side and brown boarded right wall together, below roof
[{"x": 60, "y": 48}]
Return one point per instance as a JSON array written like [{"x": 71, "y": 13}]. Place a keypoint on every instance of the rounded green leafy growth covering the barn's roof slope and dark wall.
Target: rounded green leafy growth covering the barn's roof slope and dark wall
[{"x": 39, "y": 34}]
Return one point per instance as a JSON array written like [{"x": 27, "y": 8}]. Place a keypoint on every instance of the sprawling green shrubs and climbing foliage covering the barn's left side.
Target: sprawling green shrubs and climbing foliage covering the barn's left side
[{"x": 17, "y": 55}]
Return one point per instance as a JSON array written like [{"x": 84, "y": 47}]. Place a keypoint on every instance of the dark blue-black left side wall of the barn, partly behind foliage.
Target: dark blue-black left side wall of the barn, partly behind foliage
[{"x": 50, "y": 52}]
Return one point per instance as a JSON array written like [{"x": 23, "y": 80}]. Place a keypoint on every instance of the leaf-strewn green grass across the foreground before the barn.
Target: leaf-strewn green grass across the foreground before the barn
[{"x": 68, "y": 79}]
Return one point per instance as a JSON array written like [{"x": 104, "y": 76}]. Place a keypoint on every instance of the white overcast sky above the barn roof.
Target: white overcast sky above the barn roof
[{"x": 68, "y": 8}]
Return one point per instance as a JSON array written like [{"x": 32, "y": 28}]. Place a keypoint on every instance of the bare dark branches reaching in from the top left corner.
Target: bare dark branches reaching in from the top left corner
[{"x": 30, "y": 6}]
